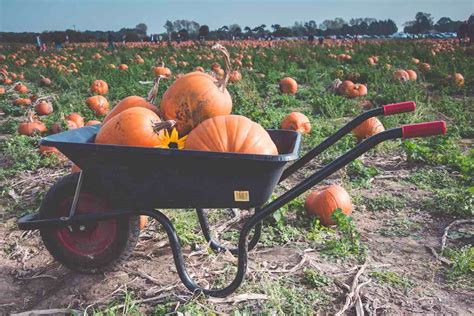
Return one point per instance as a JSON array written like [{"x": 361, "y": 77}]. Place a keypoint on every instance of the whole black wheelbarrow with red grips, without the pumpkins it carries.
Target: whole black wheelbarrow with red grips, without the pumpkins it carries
[{"x": 89, "y": 220}]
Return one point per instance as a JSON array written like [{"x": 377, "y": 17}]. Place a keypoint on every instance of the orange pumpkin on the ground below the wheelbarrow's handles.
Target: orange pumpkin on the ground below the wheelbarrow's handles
[{"x": 325, "y": 200}]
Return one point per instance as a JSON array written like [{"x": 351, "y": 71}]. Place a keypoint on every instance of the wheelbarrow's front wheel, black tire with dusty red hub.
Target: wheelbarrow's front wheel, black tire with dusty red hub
[{"x": 90, "y": 248}]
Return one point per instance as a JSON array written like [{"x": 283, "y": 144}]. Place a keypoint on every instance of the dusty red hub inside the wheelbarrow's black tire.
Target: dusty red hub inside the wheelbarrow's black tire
[{"x": 90, "y": 239}]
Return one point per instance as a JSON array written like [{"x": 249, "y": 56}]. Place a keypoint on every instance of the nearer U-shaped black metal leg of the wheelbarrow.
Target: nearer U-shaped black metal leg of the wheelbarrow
[{"x": 179, "y": 260}]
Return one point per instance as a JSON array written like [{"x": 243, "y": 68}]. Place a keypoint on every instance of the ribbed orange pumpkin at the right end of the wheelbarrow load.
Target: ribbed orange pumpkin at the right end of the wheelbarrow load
[{"x": 231, "y": 133}]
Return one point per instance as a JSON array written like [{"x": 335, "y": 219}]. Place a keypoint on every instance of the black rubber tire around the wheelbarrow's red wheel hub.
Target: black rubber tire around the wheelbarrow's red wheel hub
[{"x": 128, "y": 230}]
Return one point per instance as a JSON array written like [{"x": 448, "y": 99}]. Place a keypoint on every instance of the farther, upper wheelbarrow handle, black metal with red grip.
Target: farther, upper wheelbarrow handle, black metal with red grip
[{"x": 388, "y": 109}]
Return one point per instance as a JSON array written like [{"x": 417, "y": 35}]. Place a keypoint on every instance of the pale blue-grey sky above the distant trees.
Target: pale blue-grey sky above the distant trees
[{"x": 52, "y": 15}]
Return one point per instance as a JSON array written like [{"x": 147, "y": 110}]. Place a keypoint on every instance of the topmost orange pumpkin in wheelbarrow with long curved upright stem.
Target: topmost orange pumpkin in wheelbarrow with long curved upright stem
[{"x": 196, "y": 97}]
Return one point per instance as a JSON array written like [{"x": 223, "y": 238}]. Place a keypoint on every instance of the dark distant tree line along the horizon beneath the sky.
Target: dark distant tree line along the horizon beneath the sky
[{"x": 188, "y": 29}]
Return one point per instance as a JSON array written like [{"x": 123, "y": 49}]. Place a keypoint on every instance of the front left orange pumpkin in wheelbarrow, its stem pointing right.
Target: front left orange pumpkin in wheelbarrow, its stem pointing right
[{"x": 136, "y": 126}]
